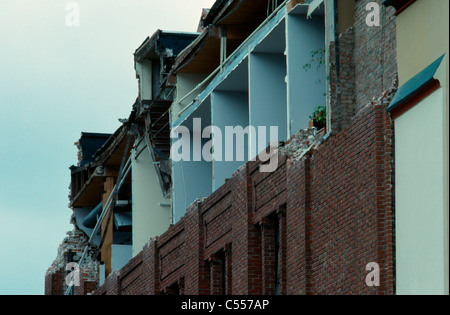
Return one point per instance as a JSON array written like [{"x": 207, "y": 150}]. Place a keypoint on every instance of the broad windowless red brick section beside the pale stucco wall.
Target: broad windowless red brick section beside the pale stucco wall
[{"x": 350, "y": 205}]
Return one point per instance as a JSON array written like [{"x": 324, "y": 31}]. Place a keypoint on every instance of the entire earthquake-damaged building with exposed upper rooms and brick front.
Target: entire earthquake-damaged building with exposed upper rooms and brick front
[{"x": 346, "y": 194}]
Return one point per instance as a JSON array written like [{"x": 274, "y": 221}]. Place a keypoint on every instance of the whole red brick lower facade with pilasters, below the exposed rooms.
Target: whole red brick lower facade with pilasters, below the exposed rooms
[{"x": 333, "y": 209}]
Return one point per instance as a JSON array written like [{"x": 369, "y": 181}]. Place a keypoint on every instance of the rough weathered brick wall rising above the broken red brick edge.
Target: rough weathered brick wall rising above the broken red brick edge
[{"x": 367, "y": 63}]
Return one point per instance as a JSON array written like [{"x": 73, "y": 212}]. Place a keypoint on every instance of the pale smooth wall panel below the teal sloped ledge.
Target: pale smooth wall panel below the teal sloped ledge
[{"x": 421, "y": 197}]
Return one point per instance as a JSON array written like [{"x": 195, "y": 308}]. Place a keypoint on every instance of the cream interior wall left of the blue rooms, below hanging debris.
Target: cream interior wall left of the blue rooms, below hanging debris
[{"x": 149, "y": 218}]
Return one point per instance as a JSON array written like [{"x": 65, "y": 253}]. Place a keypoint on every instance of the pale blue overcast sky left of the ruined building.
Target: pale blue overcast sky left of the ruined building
[{"x": 55, "y": 82}]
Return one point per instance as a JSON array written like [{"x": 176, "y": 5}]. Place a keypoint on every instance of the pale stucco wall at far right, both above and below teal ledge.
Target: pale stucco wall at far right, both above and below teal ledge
[{"x": 422, "y": 37}]
